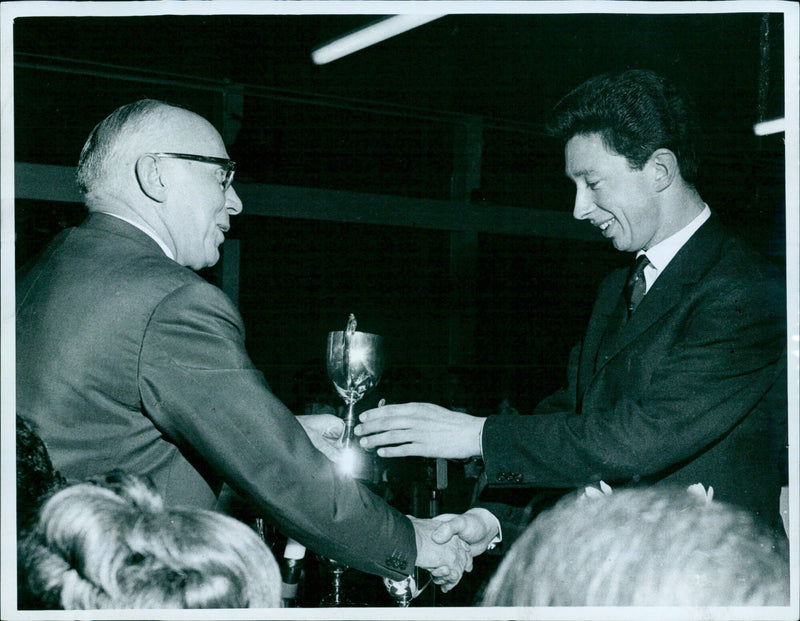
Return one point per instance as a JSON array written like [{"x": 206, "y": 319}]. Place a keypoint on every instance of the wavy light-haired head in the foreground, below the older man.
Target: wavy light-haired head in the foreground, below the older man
[{"x": 110, "y": 543}]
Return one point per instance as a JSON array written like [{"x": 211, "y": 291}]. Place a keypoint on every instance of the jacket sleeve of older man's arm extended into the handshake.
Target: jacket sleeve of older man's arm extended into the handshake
[{"x": 200, "y": 388}]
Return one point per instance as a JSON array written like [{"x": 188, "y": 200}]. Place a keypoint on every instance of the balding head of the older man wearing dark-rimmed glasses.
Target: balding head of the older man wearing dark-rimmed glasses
[{"x": 165, "y": 169}]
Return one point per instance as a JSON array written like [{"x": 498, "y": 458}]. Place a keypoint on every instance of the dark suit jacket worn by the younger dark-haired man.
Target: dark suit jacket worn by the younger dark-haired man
[{"x": 691, "y": 390}]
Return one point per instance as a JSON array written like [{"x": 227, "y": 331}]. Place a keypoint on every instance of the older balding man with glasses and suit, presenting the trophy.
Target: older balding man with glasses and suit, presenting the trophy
[{"x": 127, "y": 359}]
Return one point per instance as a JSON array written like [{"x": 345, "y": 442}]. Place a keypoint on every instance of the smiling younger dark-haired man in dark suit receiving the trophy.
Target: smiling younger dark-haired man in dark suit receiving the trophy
[{"x": 681, "y": 375}]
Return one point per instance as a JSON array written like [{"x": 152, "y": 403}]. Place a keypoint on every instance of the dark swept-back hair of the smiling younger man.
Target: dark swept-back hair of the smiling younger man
[{"x": 636, "y": 112}]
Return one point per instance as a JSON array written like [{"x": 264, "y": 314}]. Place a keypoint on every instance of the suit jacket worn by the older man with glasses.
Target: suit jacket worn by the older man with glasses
[{"x": 125, "y": 359}]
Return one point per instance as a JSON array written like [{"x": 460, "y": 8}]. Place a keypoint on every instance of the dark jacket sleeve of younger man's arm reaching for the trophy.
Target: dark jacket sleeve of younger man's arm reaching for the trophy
[{"x": 677, "y": 389}]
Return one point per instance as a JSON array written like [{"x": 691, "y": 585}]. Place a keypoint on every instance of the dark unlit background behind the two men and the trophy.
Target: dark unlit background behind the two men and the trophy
[{"x": 384, "y": 121}]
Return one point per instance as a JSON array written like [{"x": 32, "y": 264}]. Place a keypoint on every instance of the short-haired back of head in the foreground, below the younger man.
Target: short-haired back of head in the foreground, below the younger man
[{"x": 656, "y": 546}]
